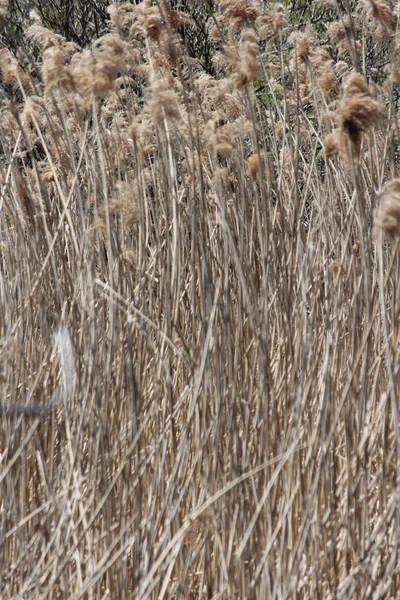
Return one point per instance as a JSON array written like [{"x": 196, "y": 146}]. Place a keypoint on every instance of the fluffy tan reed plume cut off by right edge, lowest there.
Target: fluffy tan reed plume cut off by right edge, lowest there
[{"x": 387, "y": 215}]
